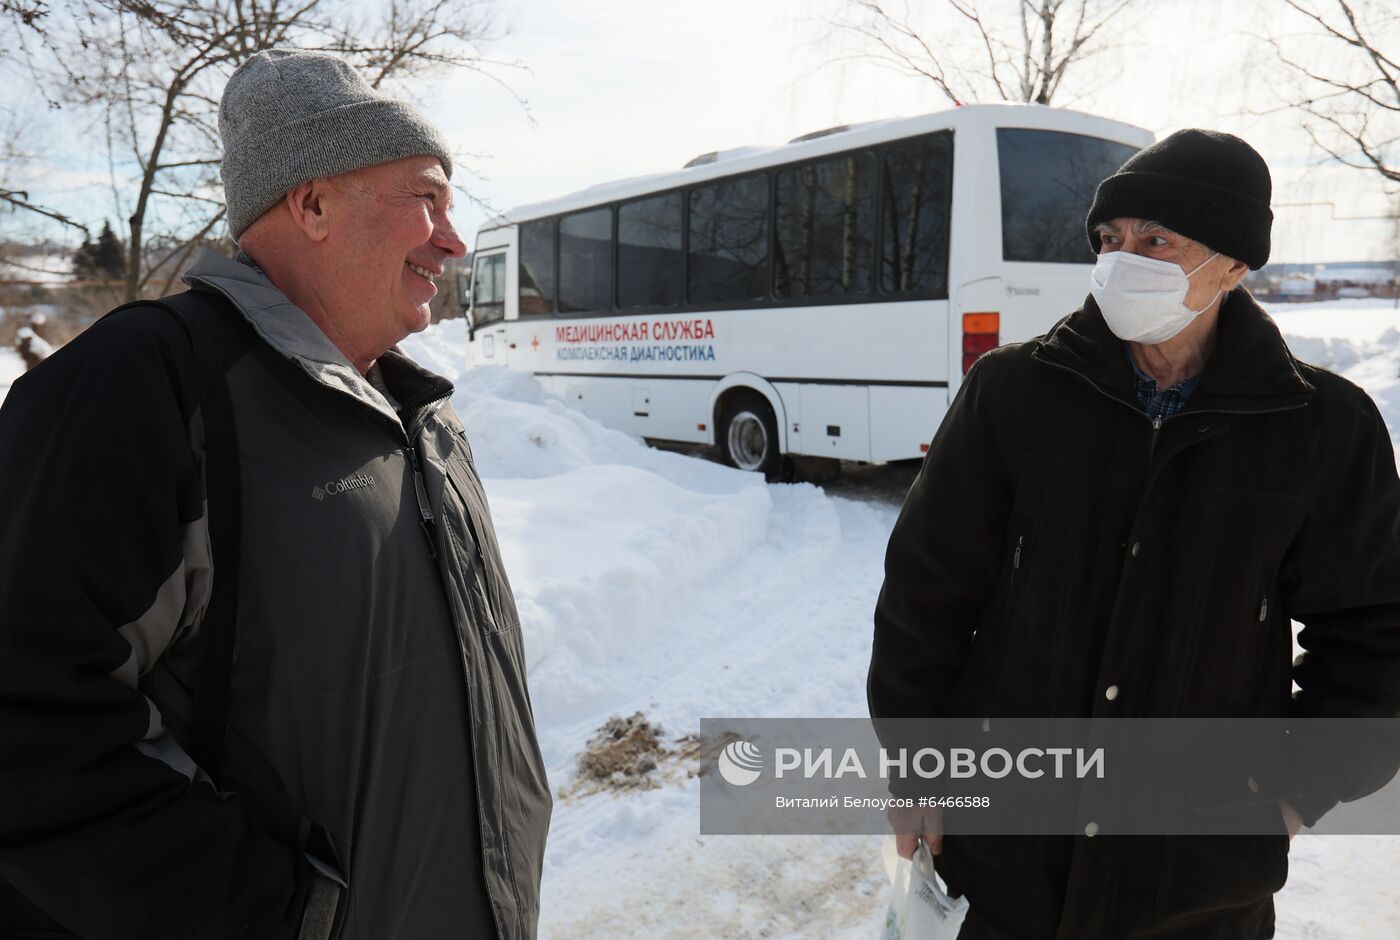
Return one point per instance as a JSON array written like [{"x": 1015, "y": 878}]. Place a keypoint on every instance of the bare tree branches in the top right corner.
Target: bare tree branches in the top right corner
[{"x": 1352, "y": 95}]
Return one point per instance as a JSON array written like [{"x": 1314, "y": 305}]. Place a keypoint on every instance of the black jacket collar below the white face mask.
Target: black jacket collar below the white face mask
[{"x": 1249, "y": 371}]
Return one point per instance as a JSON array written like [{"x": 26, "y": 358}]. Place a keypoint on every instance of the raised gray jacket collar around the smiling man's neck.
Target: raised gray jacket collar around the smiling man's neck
[{"x": 293, "y": 334}]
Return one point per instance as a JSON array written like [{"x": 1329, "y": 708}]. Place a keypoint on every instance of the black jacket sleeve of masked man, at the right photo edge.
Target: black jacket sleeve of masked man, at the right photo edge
[{"x": 1343, "y": 585}]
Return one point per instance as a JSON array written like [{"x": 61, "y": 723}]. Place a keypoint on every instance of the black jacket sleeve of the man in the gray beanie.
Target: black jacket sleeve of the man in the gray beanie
[{"x": 106, "y": 826}]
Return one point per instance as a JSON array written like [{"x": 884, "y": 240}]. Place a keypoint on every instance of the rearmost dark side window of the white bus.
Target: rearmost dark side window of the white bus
[{"x": 916, "y": 212}]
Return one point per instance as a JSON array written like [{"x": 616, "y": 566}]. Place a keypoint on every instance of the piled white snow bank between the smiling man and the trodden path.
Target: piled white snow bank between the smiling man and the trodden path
[{"x": 607, "y": 540}]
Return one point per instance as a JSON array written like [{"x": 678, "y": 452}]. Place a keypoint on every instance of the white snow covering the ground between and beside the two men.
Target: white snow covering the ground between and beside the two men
[{"x": 663, "y": 583}]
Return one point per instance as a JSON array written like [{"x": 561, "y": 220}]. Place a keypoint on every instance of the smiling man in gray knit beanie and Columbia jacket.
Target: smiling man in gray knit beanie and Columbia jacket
[{"x": 264, "y": 673}]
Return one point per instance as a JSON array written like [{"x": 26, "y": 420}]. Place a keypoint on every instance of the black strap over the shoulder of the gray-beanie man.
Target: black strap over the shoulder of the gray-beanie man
[{"x": 216, "y": 334}]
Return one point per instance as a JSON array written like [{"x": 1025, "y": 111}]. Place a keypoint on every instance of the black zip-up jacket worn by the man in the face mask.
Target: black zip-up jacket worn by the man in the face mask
[{"x": 1059, "y": 543}]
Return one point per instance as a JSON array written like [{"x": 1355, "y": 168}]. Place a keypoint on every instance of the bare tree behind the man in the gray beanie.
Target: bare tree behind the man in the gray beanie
[{"x": 153, "y": 71}]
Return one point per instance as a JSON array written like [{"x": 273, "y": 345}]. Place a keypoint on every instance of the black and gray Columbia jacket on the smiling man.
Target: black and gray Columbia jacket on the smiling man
[{"x": 380, "y": 679}]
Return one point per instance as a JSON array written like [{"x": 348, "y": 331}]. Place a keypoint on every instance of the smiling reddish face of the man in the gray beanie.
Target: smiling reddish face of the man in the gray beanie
[{"x": 394, "y": 242}]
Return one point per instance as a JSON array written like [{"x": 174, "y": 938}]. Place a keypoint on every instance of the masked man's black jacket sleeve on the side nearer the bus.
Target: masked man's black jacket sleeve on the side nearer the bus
[{"x": 943, "y": 562}]
